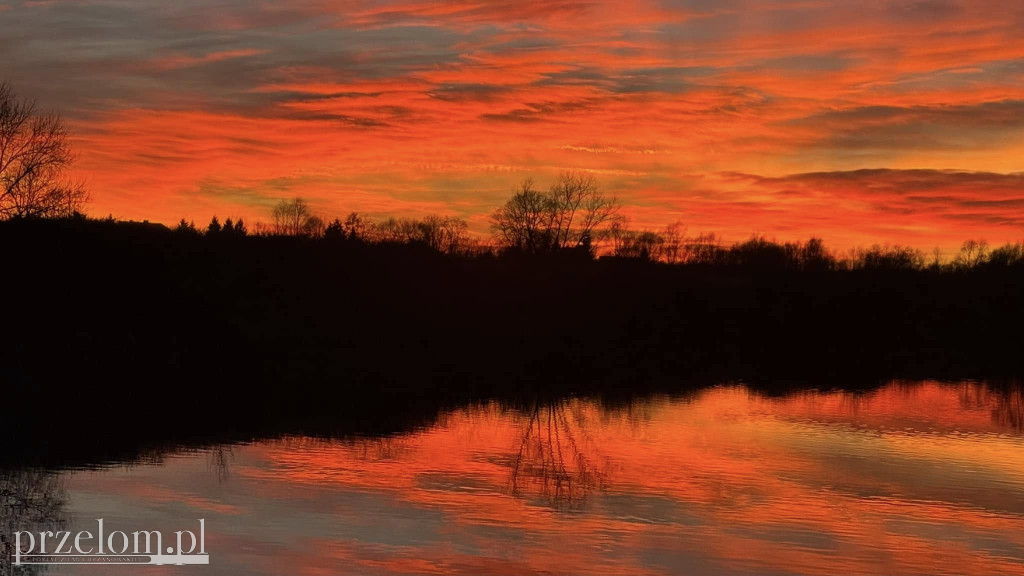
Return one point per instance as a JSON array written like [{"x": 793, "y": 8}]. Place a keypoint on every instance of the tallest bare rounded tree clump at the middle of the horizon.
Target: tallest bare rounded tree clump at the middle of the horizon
[{"x": 571, "y": 215}]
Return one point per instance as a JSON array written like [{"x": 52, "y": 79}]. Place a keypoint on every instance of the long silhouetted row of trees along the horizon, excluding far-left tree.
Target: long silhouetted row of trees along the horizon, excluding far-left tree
[{"x": 574, "y": 217}]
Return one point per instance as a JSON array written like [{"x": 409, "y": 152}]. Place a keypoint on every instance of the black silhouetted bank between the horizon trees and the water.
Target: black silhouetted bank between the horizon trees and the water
[{"x": 121, "y": 336}]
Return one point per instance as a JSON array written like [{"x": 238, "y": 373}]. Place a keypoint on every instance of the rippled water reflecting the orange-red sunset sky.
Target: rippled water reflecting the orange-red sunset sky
[{"x": 911, "y": 479}]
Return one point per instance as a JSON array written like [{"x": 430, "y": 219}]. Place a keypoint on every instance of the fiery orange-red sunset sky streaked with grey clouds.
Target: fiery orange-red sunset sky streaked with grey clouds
[{"x": 876, "y": 121}]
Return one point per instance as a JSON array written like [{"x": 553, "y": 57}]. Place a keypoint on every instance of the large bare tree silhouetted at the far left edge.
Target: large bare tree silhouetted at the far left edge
[{"x": 35, "y": 155}]
